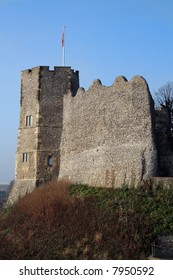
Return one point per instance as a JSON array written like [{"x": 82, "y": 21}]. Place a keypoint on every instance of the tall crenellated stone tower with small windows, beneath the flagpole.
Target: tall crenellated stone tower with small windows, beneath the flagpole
[{"x": 39, "y": 134}]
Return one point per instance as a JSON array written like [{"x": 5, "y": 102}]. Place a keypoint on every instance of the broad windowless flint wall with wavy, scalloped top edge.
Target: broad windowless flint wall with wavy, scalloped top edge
[{"x": 107, "y": 136}]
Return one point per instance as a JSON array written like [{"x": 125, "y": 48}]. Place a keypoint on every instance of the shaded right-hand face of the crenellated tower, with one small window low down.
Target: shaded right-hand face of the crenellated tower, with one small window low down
[{"x": 53, "y": 85}]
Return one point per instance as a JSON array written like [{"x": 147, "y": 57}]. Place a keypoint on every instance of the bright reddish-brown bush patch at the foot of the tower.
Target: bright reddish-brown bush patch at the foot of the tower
[{"x": 44, "y": 201}]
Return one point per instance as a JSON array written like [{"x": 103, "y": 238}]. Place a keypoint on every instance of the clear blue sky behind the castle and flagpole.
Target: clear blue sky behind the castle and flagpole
[{"x": 104, "y": 39}]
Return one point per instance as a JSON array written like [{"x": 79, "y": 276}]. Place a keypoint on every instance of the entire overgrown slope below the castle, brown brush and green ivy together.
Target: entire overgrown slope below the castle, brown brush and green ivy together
[{"x": 60, "y": 221}]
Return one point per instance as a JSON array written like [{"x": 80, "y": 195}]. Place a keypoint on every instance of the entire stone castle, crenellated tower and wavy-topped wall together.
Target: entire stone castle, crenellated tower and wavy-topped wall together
[{"x": 105, "y": 136}]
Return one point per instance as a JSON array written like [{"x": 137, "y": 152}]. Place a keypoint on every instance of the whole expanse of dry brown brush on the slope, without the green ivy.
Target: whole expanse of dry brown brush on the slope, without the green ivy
[{"x": 51, "y": 224}]
